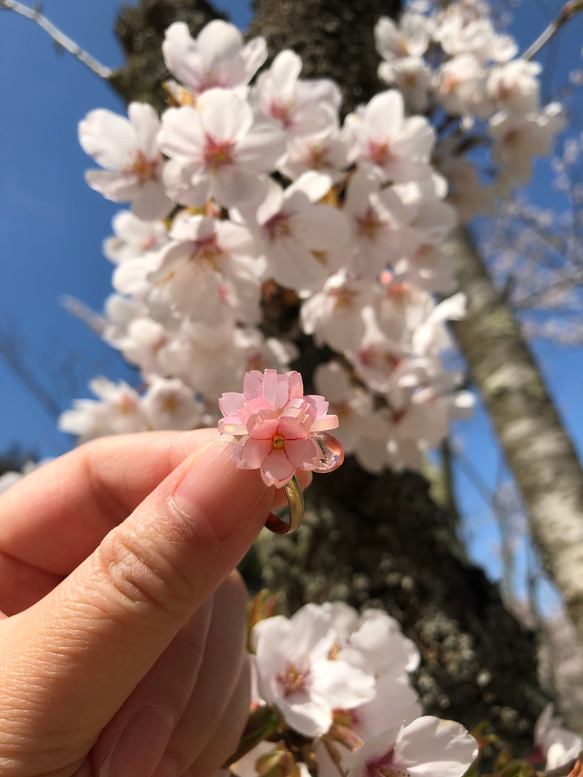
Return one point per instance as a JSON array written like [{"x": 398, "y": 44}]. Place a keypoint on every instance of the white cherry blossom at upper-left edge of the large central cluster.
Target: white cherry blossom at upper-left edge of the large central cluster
[{"x": 133, "y": 164}]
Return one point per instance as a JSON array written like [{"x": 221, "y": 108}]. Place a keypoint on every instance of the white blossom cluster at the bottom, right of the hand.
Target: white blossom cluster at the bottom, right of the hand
[{"x": 340, "y": 680}]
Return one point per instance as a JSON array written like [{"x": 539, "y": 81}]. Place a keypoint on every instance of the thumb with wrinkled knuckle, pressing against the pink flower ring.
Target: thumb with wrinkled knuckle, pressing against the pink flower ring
[{"x": 68, "y": 663}]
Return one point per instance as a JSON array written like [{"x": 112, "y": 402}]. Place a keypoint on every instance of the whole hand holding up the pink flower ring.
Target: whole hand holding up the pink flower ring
[{"x": 122, "y": 632}]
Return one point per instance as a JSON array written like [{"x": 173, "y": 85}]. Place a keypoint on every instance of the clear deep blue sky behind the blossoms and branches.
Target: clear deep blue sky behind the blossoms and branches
[{"x": 52, "y": 226}]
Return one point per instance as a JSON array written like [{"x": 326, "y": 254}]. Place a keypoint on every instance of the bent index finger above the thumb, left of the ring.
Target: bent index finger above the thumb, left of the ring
[{"x": 56, "y": 516}]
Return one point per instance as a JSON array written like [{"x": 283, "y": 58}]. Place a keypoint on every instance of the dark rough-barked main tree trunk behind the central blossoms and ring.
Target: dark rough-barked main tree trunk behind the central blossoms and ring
[{"x": 380, "y": 541}]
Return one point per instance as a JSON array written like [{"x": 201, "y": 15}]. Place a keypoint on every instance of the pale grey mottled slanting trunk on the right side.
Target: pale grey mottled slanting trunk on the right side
[{"x": 533, "y": 437}]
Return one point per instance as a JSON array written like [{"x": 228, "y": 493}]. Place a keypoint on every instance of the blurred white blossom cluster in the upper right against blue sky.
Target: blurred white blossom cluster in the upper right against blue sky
[{"x": 452, "y": 61}]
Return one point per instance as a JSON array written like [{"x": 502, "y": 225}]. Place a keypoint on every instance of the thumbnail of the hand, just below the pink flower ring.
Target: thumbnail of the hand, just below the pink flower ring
[{"x": 215, "y": 494}]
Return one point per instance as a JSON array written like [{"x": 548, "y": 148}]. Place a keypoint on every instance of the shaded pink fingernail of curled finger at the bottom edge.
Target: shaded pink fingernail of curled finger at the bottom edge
[{"x": 141, "y": 745}]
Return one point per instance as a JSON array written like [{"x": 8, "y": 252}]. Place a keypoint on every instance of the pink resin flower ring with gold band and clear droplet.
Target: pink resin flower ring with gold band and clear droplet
[{"x": 280, "y": 431}]
